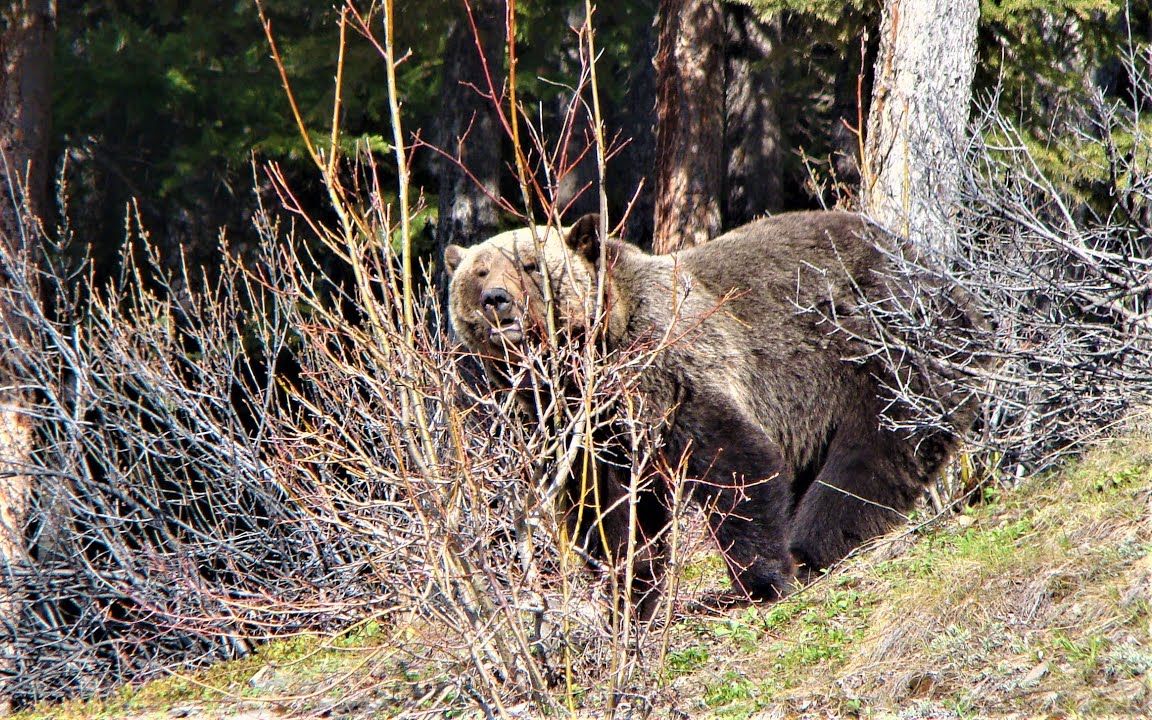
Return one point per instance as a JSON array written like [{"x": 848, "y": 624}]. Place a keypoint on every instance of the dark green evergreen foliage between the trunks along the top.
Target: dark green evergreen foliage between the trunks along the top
[{"x": 166, "y": 104}]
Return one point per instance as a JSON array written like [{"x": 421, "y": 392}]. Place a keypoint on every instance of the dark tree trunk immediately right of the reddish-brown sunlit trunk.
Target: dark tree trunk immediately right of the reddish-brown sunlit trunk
[{"x": 753, "y": 133}]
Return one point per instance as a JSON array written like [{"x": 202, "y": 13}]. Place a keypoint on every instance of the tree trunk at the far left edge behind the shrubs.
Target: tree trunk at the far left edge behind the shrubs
[{"x": 26, "y": 104}]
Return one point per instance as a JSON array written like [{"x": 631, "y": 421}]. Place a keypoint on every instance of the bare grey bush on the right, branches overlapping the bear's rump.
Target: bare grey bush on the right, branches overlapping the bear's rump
[{"x": 1063, "y": 277}]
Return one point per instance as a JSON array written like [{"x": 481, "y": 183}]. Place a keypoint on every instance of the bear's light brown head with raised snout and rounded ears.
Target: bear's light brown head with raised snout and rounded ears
[{"x": 499, "y": 290}]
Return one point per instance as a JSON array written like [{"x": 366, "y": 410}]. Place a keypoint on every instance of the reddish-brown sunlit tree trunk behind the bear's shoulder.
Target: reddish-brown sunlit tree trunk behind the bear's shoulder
[{"x": 689, "y": 164}]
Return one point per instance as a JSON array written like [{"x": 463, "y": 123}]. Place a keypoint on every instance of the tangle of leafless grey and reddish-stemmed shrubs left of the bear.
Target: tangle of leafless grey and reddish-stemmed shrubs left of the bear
[{"x": 289, "y": 445}]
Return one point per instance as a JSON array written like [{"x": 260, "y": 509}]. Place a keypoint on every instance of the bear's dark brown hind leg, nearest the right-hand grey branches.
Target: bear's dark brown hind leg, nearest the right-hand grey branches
[{"x": 866, "y": 488}]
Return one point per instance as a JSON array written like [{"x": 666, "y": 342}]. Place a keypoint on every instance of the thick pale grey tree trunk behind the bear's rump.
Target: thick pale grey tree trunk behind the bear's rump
[{"x": 918, "y": 122}]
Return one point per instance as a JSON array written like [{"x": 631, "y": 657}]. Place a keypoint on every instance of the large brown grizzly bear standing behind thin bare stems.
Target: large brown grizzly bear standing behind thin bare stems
[{"x": 760, "y": 380}]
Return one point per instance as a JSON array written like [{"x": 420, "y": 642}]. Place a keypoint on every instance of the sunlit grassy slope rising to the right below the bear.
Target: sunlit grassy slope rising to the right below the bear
[{"x": 1037, "y": 604}]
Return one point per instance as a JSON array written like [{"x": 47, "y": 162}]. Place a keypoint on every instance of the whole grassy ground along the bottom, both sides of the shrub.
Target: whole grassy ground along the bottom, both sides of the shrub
[{"x": 1035, "y": 603}]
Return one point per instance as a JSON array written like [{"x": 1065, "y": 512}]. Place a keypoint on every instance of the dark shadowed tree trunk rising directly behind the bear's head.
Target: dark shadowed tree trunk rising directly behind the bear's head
[{"x": 469, "y": 130}]
